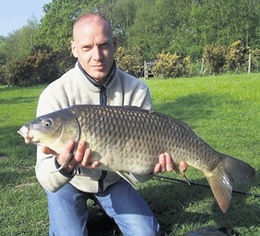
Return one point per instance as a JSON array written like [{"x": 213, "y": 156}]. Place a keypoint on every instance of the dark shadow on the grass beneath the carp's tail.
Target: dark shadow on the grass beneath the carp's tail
[{"x": 178, "y": 203}]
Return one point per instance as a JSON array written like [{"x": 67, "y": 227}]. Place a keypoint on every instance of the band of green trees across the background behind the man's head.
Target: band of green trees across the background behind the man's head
[{"x": 149, "y": 27}]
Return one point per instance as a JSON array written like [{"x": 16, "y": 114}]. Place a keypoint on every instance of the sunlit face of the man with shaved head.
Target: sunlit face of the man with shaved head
[{"x": 94, "y": 47}]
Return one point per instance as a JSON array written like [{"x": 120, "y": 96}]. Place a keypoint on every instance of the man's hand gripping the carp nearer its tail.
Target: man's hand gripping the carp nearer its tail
[{"x": 166, "y": 164}]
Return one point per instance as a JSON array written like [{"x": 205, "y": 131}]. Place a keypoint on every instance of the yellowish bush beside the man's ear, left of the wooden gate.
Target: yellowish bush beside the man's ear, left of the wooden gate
[{"x": 129, "y": 61}]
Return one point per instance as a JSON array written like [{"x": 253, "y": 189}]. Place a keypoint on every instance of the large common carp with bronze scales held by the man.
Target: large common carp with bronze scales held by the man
[{"x": 130, "y": 139}]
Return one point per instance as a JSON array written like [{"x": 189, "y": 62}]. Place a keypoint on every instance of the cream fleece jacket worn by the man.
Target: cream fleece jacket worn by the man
[{"x": 74, "y": 88}]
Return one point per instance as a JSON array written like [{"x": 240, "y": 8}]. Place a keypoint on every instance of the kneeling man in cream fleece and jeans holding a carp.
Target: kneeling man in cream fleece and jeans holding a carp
[{"x": 94, "y": 80}]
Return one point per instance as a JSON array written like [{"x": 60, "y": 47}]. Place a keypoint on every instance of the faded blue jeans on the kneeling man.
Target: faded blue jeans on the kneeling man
[{"x": 68, "y": 211}]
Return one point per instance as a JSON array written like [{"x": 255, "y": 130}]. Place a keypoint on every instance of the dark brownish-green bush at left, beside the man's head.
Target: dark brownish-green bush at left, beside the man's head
[{"x": 42, "y": 65}]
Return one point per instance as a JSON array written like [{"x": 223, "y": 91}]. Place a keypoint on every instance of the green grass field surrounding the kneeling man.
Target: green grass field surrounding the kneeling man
[{"x": 223, "y": 110}]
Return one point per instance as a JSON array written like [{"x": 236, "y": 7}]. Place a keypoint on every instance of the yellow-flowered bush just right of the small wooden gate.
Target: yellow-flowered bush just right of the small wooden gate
[{"x": 172, "y": 65}]
